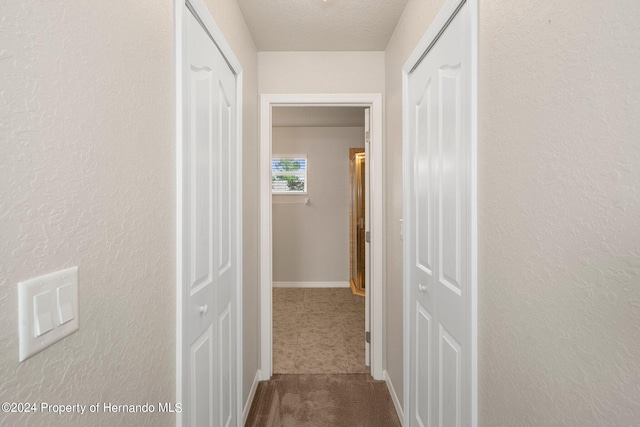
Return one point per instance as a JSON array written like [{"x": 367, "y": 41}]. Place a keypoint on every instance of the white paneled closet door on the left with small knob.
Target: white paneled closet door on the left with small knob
[{"x": 209, "y": 233}]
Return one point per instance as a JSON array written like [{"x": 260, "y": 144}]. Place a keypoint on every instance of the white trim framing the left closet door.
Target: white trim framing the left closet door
[{"x": 202, "y": 13}]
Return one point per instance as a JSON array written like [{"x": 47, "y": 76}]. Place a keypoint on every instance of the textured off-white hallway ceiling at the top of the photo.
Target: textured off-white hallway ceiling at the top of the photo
[{"x": 318, "y": 25}]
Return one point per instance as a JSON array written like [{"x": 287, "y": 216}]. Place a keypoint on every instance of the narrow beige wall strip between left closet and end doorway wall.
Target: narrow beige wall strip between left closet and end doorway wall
[{"x": 227, "y": 15}]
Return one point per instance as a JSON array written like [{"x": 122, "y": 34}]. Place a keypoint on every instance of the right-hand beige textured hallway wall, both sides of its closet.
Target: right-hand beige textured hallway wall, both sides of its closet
[{"x": 559, "y": 209}]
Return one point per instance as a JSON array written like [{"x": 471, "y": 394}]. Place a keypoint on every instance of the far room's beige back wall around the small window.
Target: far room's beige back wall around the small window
[{"x": 311, "y": 243}]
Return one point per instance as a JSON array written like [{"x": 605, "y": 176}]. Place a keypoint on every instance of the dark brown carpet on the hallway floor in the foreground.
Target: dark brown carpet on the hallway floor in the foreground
[{"x": 322, "y": 400}]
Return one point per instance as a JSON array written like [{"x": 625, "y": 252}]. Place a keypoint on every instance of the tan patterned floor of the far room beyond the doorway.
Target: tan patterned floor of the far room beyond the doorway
[{"x": 319, "y": 330}]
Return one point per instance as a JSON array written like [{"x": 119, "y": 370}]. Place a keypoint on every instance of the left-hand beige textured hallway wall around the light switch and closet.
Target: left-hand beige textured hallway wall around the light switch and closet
[{"x": 87, "y": 178}]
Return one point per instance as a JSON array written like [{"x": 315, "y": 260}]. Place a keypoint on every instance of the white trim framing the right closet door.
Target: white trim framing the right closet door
[{"x": 436, "y": 28}]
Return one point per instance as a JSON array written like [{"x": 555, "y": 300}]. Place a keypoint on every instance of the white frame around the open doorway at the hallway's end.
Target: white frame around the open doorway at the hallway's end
[{"x": 373, "y": 101}]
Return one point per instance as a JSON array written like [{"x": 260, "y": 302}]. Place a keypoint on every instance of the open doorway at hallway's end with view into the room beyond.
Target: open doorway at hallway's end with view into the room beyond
[{"x": 318, "y": 324}]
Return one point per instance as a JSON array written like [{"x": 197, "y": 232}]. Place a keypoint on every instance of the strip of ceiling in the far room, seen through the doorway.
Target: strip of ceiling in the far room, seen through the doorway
[{"x": 318, "y": 117}]
